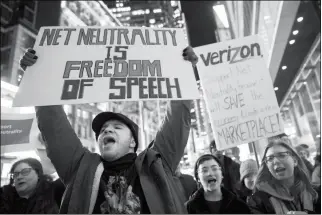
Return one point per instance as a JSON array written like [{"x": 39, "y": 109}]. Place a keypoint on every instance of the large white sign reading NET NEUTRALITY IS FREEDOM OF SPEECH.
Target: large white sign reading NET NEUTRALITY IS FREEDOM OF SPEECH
[{"x": 98, "y": 64}]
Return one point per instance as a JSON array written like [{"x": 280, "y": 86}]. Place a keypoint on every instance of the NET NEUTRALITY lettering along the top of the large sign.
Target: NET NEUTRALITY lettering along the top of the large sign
[{"x": 110, "y": 36}]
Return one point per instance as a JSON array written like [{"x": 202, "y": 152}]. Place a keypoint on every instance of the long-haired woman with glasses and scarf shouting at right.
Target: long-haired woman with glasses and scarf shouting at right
[{"x": 282, "y": 185}]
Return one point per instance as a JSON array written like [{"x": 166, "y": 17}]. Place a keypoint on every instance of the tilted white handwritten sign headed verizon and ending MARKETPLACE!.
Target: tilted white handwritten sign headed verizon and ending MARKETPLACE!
[{"x": 239, "y": 93}]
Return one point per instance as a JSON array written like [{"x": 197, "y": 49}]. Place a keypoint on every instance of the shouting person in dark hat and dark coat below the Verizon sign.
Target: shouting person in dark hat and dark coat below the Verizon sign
[{"x": 211, "y": 197}]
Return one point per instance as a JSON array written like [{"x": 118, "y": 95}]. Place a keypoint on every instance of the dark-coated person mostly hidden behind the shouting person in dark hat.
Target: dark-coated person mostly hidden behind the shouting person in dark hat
[{"x": 231, "y": 175}]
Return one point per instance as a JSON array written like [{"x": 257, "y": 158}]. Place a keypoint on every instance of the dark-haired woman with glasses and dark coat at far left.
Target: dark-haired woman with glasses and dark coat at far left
[{"x": 30, "y": 191}]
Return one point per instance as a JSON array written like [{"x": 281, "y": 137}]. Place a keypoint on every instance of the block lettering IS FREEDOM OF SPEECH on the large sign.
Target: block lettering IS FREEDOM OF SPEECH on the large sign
[{"x": 124, "y": 76}]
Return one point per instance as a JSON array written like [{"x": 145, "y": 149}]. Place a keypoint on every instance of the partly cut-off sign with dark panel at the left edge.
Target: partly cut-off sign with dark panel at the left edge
[{"x": 16, "y": 132}]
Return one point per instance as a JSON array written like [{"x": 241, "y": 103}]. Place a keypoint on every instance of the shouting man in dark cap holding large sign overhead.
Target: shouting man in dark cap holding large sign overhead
[{"x": 118, "y": 181}]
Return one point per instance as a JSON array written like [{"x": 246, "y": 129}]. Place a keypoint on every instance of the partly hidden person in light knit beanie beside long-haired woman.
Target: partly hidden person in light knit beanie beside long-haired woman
[{"x": 248, "y": 173}]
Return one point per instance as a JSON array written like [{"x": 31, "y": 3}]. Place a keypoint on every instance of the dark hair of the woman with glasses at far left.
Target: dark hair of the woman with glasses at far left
[{"x": 34, "y": 164}]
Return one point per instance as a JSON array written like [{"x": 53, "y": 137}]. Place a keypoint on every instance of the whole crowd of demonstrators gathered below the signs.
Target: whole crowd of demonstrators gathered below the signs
[{"x": 120, "y": 181}]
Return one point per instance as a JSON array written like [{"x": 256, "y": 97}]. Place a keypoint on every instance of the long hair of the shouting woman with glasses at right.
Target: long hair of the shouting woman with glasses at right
[{"x": 300, "y": 171}]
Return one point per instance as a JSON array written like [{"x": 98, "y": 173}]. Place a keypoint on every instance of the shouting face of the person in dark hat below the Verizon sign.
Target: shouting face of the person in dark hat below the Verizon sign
[{"x": 210, "y": 175}]
